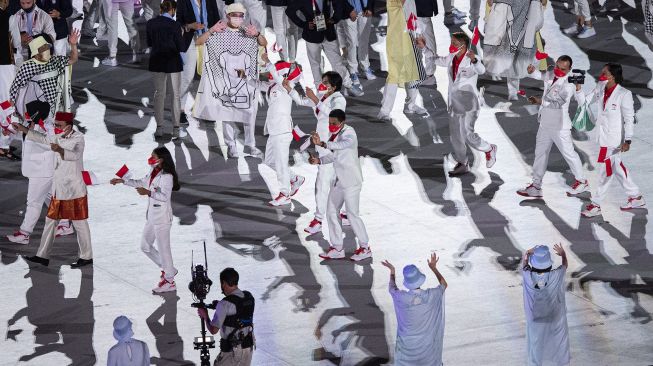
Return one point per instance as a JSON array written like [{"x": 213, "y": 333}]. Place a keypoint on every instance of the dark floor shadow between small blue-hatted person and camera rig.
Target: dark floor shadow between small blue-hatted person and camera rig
[{"x": 163, "y": 325}]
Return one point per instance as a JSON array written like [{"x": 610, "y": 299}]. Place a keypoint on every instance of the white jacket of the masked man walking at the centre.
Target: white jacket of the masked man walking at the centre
[{"x": 343, "y": 154}]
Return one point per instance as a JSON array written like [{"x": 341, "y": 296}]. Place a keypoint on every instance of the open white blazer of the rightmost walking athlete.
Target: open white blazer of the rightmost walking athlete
[{"x": 616, "y": 120}]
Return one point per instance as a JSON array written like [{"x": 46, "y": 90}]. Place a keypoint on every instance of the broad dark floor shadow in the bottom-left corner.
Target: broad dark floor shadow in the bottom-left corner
[{"x": 63, "y": 325}]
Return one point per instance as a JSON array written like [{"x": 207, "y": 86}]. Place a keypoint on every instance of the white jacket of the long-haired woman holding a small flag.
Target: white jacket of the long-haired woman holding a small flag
[{"x": 159, "y": 209}]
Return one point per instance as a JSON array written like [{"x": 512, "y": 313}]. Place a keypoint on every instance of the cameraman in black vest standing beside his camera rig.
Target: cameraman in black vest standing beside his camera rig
[{"x": 234, "y": 318}]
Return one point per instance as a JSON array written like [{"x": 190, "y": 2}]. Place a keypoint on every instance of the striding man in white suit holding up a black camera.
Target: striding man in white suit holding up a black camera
[{"x": 555, "y": 128}]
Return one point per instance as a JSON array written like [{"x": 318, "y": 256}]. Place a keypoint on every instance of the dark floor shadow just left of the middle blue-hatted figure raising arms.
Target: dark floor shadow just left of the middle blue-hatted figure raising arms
[{"x": 366, "y": 327}]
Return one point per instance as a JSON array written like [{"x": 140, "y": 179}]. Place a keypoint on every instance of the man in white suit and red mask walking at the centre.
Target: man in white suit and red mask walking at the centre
[{"x": 343, "y": 147}]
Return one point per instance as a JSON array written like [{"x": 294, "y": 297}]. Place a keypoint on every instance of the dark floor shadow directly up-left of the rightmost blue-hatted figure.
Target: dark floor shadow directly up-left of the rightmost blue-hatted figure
[{"x": 492, "y": 225}]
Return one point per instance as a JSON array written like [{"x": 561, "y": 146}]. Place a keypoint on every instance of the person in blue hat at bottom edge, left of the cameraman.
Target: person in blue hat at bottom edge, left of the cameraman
[{"x": 128, "y": 351}]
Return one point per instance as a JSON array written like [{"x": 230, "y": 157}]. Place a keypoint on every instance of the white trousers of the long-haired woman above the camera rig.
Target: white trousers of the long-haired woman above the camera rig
[{"x": 161, "y": 255}]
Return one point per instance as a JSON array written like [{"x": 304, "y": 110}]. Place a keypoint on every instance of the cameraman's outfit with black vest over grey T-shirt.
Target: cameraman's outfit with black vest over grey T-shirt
[{"x": 234, "y": 316}]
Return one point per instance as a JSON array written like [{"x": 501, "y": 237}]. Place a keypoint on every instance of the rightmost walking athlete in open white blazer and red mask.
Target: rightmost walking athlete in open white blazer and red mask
[{"x": 615, "y": 122}]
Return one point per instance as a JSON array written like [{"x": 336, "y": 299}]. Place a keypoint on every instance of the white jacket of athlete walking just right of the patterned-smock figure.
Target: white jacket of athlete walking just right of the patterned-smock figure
[{"x": 278, "y": 120}]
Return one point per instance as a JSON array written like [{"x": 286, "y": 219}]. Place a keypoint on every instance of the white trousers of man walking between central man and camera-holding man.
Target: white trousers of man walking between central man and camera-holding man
[{"x": 461, "y": 129}]
